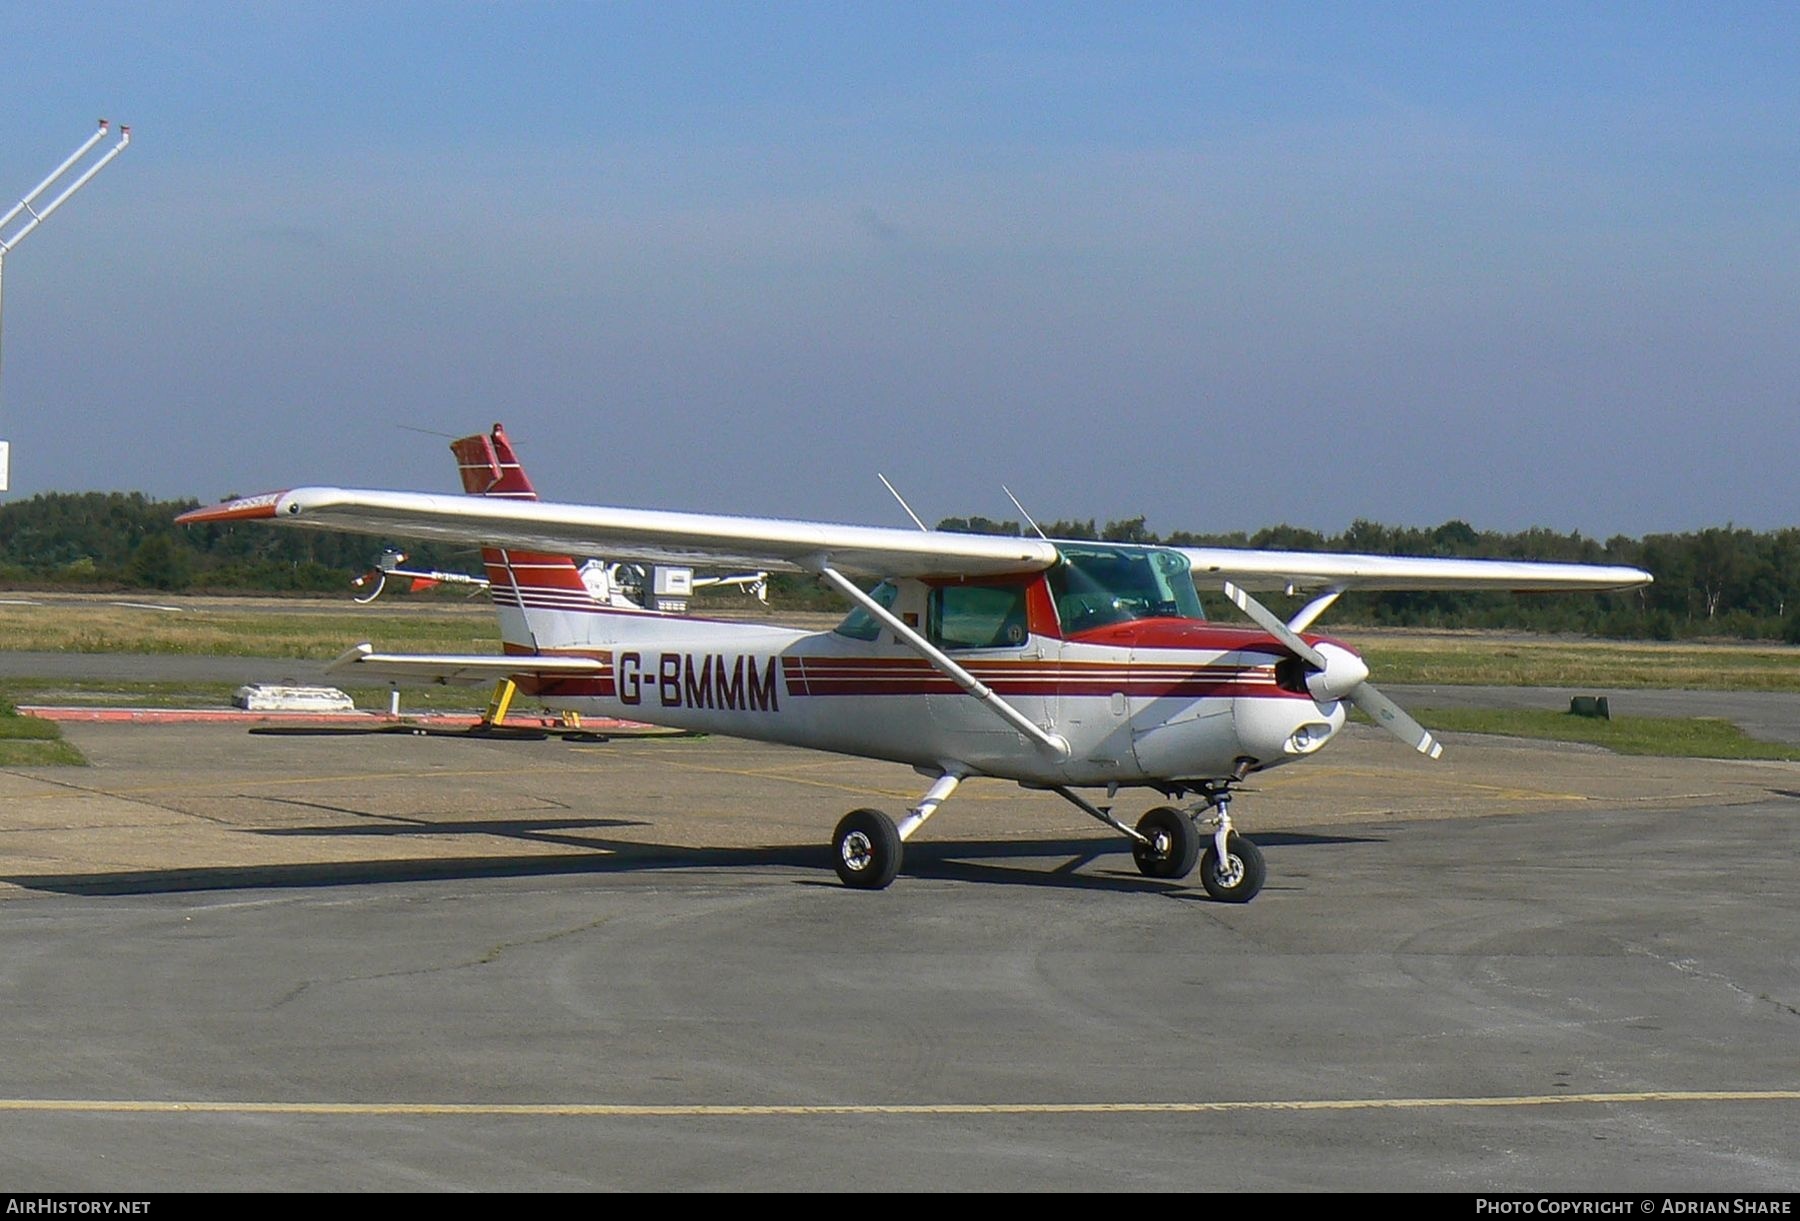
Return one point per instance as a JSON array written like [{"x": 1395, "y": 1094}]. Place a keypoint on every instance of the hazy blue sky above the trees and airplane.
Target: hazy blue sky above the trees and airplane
[{"x": 1225, "y": 266}]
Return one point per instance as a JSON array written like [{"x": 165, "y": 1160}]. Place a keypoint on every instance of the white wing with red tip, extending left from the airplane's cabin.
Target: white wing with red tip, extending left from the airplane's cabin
[{"x": 642, "y": 536}]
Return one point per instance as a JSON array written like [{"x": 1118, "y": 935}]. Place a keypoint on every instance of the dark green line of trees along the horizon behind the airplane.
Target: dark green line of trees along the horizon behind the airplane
[{"x": 1713, "y": 583}]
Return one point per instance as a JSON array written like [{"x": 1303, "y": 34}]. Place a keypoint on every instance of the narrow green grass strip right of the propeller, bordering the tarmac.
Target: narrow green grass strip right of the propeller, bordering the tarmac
[{"x": 1678, "y": 737}]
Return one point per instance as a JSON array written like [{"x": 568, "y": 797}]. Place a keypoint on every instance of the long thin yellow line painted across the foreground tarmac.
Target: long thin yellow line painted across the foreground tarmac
[{"x": 606, "y": 1110}]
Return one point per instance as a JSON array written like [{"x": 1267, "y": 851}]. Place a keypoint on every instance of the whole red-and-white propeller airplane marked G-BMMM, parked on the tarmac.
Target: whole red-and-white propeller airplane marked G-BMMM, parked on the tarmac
[{"x": 1059, "y": 665}]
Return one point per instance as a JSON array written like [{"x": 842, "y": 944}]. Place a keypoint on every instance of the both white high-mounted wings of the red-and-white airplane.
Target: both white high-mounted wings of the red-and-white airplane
[{"x": 778, "y": 545}]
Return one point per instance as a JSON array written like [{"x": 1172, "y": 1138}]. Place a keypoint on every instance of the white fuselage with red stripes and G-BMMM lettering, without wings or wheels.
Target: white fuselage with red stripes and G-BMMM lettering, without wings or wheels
[{"x": 1142, "y": 696}]
